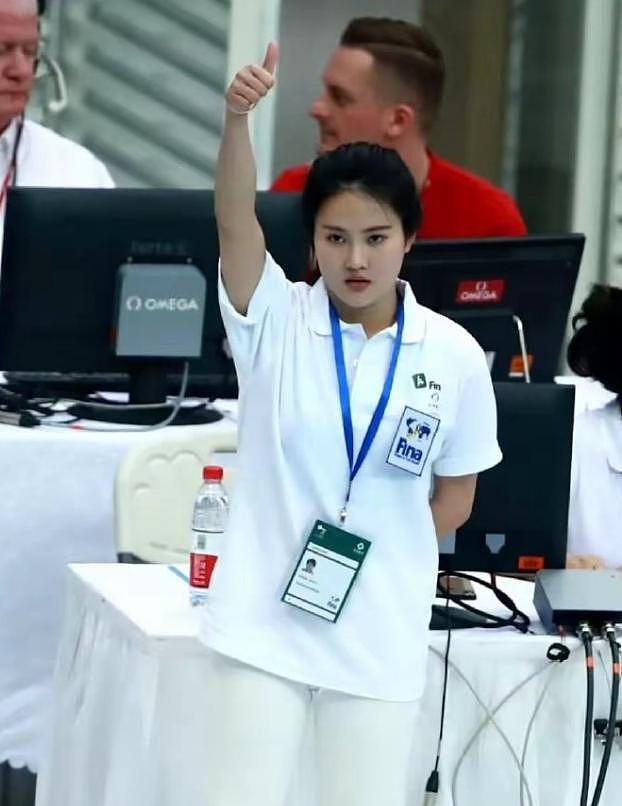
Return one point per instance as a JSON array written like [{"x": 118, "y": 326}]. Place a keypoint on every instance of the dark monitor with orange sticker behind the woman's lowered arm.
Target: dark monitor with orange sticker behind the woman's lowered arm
[{"x": 519, "y": 520}]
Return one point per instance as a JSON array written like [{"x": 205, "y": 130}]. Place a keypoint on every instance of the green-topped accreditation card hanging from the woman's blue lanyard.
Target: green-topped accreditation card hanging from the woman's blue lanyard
[{"x": 326, "y": 571}]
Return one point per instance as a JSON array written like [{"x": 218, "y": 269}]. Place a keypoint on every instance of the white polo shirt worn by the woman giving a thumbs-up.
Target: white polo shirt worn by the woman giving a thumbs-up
[{"x": 293, "y": 469}]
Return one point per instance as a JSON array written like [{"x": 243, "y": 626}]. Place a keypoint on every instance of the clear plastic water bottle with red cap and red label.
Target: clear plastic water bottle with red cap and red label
[{"x": 209, "y": 521}]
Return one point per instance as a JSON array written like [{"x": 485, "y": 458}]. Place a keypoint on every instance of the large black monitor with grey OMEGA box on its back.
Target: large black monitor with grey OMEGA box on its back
[{"x": 61, "y": 258}]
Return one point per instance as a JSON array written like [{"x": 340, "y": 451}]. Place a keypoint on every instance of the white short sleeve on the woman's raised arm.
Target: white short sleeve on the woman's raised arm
[{"x": 263, "y": 324}]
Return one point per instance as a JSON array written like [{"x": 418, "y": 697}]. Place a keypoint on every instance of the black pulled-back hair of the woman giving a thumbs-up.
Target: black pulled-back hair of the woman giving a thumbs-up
[{"x": 372, "y": 169}]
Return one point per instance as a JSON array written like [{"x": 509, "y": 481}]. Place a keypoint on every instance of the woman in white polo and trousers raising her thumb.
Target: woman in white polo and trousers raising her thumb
[{"x": 364, "y": 419}]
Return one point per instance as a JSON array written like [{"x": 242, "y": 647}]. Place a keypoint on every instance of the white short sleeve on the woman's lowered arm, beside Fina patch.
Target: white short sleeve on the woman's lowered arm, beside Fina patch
[{"x": 471, "y": 445}]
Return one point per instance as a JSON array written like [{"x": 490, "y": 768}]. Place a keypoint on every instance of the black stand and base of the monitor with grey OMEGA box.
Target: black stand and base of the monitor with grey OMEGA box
[{"x": 147, "y": 388}]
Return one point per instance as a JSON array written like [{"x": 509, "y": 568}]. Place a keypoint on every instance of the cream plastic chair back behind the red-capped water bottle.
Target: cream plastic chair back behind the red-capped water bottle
[{"x": 155, "y": 488}]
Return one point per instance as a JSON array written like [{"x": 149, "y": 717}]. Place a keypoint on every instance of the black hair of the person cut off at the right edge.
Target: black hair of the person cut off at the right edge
[{"x": 595, "y": 349}]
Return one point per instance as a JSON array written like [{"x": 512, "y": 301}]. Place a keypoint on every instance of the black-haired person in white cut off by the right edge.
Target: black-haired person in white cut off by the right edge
[{"x": 594, "y": 538}]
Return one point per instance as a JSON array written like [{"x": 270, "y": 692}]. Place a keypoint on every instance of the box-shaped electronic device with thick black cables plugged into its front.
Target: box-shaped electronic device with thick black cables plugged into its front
[{"x": 566, "y": 598}]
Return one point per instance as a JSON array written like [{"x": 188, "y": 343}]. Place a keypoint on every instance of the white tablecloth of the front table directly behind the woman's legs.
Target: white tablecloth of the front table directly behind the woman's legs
[{"x": 131, "y": 725}]
